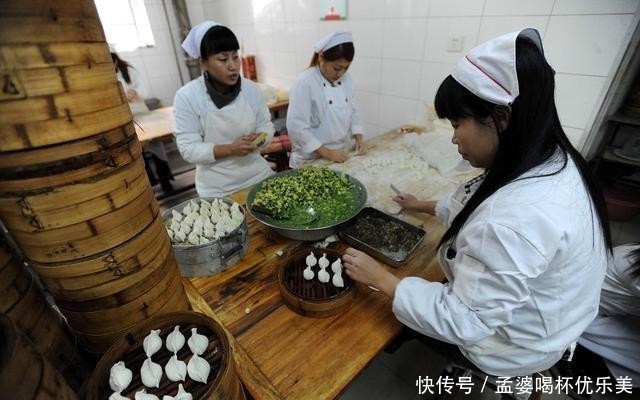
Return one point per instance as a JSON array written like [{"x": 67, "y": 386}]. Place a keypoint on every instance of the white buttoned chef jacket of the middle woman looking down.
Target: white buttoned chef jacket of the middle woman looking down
[{"x": 320, "y": 113}]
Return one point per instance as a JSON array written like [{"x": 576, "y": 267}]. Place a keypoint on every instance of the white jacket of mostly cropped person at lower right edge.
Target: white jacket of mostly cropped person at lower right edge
[{"x": 615, "y": 333}]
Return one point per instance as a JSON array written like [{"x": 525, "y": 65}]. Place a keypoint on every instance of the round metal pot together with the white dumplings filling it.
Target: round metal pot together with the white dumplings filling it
[{"x": 208, "y": 235}]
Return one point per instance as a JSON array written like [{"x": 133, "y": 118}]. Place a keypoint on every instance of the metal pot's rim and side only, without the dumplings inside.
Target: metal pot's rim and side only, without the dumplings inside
[{"x": 215, "y": 256}]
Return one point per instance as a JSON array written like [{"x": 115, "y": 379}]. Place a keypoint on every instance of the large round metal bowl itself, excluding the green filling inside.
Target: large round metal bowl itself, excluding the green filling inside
[{"x": 306, "y": 233}]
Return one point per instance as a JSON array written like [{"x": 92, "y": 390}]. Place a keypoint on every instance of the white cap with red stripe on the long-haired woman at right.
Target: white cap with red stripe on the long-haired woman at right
[{"x": 489, "y": 70}]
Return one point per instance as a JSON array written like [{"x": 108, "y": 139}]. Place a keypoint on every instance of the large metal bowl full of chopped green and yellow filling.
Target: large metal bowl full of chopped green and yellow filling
[{"x": 306, "y": 204}]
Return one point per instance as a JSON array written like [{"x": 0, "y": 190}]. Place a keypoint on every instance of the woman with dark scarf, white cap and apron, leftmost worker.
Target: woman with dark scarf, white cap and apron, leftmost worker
[{"x": 219, "y": 116}]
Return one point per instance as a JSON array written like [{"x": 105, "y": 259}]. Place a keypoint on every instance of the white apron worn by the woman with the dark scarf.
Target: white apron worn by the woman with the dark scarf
[{"x": 230, "y": 174}]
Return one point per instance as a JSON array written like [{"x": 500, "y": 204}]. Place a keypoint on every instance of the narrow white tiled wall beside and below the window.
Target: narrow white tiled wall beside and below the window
[{"x": 160, "y": 74}]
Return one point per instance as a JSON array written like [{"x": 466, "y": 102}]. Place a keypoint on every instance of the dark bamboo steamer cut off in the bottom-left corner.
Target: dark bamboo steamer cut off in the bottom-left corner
[{"x": 25, "y": 372}]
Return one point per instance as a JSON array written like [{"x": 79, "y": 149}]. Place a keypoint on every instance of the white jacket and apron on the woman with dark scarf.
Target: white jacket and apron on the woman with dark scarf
[{"x": 199, "y": 125}]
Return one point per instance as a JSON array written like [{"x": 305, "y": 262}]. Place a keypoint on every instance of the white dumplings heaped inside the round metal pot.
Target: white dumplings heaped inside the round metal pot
[{"x": 201, "y": 222}]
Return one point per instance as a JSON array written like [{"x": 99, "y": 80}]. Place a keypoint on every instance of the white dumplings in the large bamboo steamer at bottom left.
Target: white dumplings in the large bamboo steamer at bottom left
[{"x": 176, "y": 370}]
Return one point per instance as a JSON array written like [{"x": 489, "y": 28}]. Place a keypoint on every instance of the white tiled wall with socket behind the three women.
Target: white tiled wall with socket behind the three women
[{"x": 401, "y": 46}]
